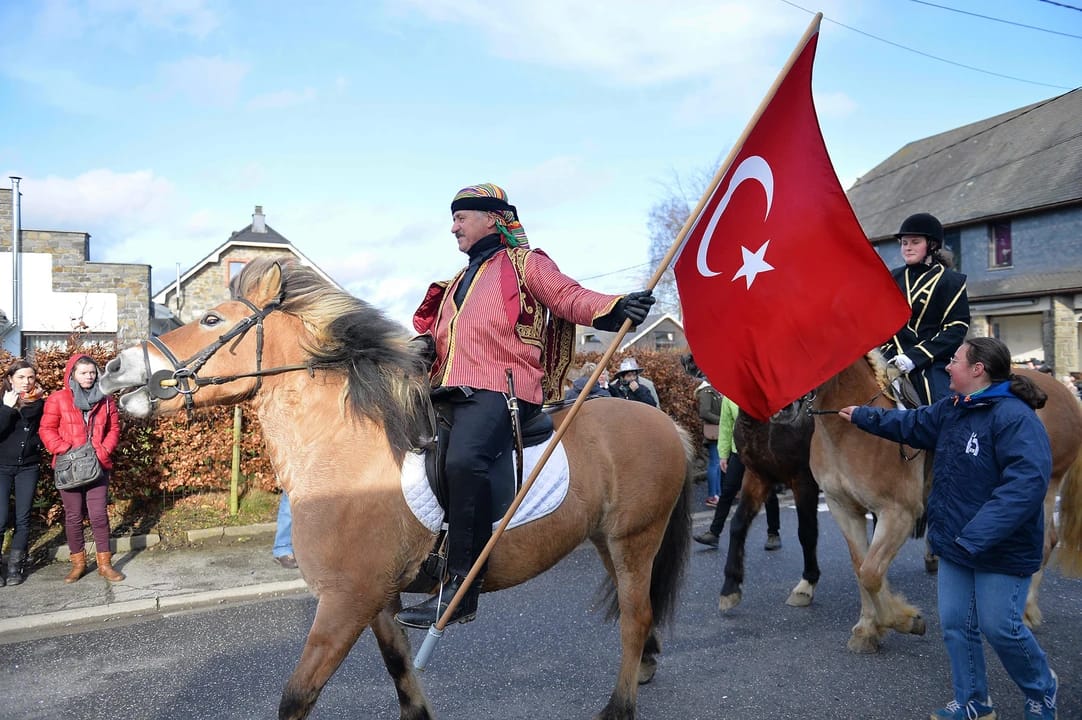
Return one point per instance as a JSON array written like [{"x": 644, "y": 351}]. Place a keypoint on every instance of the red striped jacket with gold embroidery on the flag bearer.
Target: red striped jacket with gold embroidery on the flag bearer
[{"x": 503, "y": 324}]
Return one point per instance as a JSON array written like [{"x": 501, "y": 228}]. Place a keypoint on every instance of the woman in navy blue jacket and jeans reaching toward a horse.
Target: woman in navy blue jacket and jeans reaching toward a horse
[{"x": 986, "y": 520}]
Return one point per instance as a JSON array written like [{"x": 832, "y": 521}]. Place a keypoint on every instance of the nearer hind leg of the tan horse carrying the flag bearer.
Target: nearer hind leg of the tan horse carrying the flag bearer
[{"x": 634, "y": 556}]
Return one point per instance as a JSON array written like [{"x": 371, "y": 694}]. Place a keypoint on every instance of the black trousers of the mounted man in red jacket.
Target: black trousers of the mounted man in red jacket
[{"x": 480, "y": 453}]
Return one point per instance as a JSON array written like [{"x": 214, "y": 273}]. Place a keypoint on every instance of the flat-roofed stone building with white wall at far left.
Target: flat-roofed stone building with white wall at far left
[{"x": 51, "y": 291}]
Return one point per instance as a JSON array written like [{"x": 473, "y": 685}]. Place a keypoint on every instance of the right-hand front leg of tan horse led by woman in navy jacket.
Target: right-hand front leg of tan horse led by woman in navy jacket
[{"x": 893, "y": 611}]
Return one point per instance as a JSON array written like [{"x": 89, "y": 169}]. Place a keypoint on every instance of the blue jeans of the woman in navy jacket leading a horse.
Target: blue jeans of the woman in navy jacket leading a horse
[{"x": 977, "y": 603}]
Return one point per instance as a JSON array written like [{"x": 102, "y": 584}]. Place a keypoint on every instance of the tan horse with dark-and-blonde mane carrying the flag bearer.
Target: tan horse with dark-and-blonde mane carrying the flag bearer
[{"x": 342, "y": 396}]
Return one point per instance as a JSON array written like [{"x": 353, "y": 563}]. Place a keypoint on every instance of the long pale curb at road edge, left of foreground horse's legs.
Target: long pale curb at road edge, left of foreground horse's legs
[{"x": 149, "y": 606}]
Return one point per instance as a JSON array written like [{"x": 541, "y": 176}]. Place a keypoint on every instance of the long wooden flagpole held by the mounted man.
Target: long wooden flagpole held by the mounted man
[{"x": 437, "y": 632}]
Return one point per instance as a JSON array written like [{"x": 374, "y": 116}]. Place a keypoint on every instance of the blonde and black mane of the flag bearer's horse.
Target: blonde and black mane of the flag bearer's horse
[{"x": 388, "y": 383}]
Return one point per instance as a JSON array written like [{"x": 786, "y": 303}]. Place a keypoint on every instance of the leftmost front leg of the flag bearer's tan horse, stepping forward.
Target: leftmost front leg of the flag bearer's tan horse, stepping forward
[{"x": 338, "y": 624}]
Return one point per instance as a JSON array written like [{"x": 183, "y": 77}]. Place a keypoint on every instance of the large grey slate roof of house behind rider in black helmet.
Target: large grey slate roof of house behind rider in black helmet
[{"x": 1019, "y": 162}]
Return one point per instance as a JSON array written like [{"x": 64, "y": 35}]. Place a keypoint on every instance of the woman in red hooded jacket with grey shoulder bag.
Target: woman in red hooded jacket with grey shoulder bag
[{"x": 71, "y": 414}]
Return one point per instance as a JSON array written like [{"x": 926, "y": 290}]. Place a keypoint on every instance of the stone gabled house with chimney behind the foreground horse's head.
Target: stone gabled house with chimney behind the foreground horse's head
[{"x": 207, "y": 283}]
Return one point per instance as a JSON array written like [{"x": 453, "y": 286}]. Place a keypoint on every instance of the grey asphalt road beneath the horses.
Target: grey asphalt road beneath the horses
[{"x": 539, "y": 652}]
